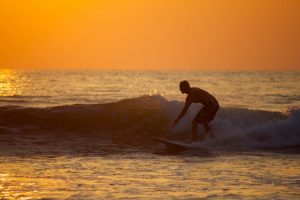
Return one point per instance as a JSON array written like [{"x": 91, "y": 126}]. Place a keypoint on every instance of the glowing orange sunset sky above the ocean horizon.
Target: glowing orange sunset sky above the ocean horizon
[{"x": 150, "y": 34}]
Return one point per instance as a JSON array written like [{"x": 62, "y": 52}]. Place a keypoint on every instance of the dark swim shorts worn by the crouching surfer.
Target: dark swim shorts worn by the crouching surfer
[{"x": 206, "y": 115}]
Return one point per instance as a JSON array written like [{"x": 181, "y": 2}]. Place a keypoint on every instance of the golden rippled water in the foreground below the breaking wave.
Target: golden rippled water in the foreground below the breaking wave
[{"x": 264, "y": 176}]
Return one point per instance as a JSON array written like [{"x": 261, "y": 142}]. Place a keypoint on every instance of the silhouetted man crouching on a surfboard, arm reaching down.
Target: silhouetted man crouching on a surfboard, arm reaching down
[{"x": 206, "y": 113}]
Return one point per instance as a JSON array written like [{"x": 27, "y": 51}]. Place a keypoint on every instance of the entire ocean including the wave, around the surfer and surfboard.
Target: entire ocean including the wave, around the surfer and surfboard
[{"x": 88, "y": 135}]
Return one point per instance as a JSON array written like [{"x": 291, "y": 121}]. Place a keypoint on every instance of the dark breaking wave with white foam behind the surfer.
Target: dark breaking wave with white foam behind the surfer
[{"x": 139, "y": 119}]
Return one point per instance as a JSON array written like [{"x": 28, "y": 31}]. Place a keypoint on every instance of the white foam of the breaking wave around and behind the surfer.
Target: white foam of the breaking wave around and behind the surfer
[{"x": 244, "y": 128}]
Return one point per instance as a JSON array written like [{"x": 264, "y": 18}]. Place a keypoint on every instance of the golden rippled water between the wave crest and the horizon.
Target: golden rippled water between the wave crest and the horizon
[{"x": 256, "y": 90}]
